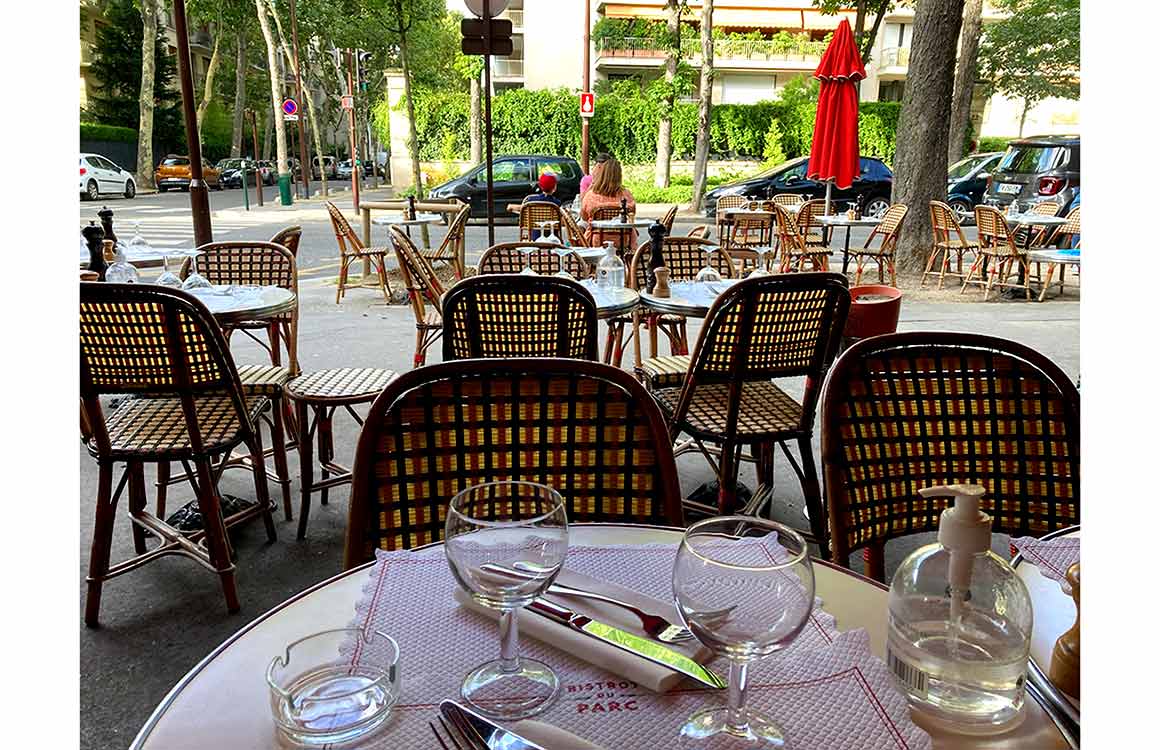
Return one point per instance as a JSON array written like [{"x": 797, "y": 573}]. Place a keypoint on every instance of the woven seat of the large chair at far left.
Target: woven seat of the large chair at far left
[{"x": 155, "y": 429}]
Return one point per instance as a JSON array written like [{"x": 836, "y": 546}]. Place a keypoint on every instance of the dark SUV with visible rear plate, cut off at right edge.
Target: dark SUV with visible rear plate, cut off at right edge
[{"x": 1036, "y": 170}]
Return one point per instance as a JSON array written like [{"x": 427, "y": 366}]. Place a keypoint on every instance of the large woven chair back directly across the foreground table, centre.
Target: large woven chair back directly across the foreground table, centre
[{"x": 588, "y": 429}]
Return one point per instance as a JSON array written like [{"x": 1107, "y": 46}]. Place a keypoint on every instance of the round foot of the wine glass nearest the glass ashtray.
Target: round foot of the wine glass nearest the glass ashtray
[{"x": 520, "y": 694}]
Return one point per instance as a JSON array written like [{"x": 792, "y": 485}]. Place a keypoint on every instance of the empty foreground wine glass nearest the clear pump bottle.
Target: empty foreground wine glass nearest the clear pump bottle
[{"x": 744, "y": 587}]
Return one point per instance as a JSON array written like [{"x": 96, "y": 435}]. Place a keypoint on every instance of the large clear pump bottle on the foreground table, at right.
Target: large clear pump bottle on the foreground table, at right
[{"x": 961, "y": 625}]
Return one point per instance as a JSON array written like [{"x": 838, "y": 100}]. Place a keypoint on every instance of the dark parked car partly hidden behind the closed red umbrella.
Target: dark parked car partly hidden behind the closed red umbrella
[{"x": 872, "y": 187}]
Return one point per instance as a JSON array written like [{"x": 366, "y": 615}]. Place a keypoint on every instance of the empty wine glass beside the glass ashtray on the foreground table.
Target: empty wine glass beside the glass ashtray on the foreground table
[{"x": 519, "y": 526}]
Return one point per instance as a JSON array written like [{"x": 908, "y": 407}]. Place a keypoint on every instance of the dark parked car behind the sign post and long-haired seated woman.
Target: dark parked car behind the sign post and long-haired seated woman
[{"x": 513, "y": 179}]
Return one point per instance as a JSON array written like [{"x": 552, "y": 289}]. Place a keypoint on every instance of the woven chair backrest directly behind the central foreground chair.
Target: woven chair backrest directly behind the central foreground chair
[{"x": 517, "y": 316}]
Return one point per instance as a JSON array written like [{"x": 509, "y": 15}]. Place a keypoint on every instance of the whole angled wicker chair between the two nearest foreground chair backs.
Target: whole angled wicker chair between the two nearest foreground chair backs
[{"x": 781, "y": 326}]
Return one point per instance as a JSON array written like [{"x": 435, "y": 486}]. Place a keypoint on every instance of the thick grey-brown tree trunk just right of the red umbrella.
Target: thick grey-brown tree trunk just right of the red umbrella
[{"x": 920, "y": 164}]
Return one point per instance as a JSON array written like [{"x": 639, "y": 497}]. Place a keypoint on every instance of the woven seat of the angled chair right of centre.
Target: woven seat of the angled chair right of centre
[{"x": 766, "y": 411}]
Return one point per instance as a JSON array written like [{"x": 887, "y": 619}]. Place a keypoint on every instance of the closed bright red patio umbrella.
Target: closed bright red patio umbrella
[{"x": 835, "y": 154}]
